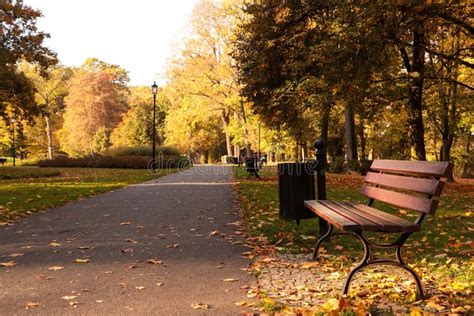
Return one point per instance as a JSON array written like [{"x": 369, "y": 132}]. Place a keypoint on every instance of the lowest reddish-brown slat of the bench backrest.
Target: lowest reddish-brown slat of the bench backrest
[{"x": 400, "y": 199}]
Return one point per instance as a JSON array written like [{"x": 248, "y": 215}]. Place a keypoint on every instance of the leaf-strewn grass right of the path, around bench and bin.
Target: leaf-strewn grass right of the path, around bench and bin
[{"x": 442, "y": 251}]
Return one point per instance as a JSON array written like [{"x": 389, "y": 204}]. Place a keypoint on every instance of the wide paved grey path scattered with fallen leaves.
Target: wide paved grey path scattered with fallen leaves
[{"x": 91, "y": 257}]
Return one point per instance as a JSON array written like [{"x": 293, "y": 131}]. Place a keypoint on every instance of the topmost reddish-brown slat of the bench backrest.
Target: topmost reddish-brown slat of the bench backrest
[{"x": 427, "y": 168}]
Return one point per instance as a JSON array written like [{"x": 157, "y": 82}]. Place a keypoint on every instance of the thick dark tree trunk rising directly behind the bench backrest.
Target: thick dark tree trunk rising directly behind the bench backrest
[{"x": 415, "y": 120}]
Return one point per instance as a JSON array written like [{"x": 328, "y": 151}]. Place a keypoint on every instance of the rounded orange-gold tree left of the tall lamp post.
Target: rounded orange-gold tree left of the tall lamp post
[{"x": 94, "y": 107}]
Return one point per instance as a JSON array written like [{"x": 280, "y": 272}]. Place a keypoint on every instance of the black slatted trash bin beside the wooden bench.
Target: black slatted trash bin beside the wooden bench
[{"x": 296, "y": 185}]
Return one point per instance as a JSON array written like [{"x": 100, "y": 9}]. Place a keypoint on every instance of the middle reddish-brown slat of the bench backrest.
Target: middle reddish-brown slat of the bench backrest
[{"x": 428, "y": 186}]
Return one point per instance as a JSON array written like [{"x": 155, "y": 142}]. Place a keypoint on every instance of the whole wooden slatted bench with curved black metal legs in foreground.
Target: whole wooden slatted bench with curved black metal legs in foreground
[{"x": 410, "y": 185}]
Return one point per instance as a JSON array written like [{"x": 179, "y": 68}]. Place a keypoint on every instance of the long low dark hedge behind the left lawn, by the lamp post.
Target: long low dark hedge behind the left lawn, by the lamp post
[{"x": 129, "y": 162}]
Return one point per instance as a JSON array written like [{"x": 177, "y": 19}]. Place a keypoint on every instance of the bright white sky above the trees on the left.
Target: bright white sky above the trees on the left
[{"x": 137, "y": 35}]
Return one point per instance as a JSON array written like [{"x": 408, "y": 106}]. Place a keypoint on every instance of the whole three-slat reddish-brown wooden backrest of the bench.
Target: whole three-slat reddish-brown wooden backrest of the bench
[{"x": 414, "y": 185}]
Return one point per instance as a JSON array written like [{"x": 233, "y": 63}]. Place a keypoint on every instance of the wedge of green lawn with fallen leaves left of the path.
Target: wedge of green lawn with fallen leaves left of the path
[{"x": 25, "y": 190}]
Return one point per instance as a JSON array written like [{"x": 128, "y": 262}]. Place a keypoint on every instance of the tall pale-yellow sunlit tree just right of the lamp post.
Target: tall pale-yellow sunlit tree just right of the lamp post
[{"x": 204, "y": 69}]
